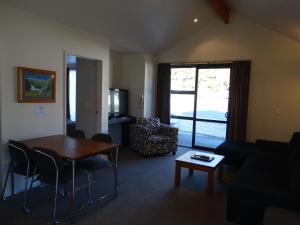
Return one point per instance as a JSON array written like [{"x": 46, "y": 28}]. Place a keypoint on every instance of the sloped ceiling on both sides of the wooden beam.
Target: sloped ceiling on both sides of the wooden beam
[{"x": 153, "y": 26}]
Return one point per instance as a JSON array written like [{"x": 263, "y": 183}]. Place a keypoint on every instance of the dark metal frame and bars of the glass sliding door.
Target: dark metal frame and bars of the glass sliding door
[{"x": 195, "y": 92}]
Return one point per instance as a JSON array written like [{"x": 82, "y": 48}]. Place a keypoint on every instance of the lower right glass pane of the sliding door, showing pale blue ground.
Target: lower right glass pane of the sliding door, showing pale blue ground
[{"x": 209, "y": 134}]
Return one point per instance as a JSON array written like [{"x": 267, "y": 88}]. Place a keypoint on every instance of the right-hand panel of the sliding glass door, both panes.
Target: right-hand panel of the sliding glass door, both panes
[{"x": 212, "y": 107}]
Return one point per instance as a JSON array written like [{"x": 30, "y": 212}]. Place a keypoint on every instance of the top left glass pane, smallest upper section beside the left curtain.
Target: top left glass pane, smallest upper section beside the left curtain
[{"x": 183, "y": 79}]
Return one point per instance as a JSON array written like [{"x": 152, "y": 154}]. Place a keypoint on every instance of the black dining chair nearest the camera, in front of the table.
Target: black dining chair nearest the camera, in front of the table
[{"x": 52, "y": 171}]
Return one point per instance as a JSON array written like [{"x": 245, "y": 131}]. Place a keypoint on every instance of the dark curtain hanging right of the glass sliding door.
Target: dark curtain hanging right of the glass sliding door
[{"x": 238, "y": 101}]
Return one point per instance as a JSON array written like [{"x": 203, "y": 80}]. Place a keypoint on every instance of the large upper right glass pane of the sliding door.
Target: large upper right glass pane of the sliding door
[{"x": 213, "y": 92}]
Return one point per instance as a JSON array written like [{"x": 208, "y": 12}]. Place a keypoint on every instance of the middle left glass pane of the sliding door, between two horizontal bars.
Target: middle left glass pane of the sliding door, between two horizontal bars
[{"x": 182, "y": 105}]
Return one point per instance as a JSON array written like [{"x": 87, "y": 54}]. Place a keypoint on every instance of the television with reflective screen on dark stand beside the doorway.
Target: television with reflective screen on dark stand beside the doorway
[{"x": 118, "y": 102}]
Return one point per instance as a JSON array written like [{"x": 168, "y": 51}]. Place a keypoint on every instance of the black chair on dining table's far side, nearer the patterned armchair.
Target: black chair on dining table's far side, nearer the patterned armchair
[{"x": 92, "y": 164}]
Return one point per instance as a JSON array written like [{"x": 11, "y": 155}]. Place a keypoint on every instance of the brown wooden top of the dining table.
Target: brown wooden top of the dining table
[{"x": 71, "y": 148}]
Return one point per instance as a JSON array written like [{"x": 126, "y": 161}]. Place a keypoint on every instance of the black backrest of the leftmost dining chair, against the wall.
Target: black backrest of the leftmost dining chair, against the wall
[{"x": 20, "y": 153}]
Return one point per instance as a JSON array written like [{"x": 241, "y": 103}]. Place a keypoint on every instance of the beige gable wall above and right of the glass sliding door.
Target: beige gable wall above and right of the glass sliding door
[{"x": 274, "y": 106}]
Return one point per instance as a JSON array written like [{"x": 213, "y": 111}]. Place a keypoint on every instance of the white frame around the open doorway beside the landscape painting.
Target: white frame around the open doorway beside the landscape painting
[{"x": 98, "y": 94}]
